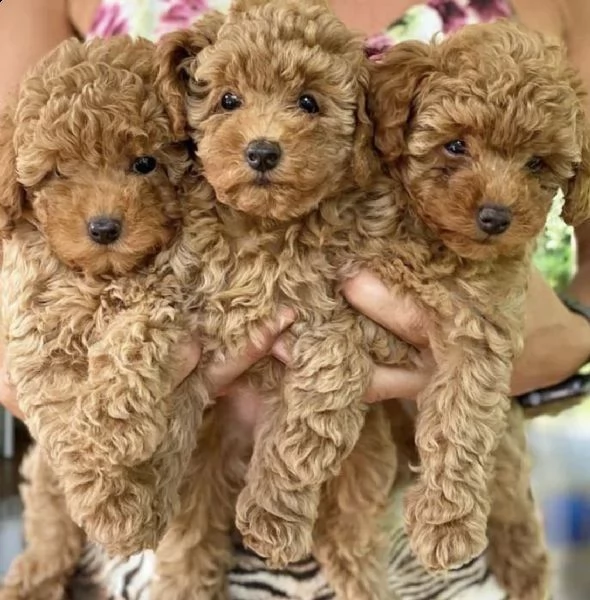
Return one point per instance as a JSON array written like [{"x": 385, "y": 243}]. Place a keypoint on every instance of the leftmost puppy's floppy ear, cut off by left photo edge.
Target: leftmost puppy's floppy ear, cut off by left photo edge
[{"x": 12, "y": 195}]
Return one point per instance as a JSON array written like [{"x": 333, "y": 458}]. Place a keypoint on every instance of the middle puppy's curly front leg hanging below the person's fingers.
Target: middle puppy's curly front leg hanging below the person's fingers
[{"x": 305, "y": 439}]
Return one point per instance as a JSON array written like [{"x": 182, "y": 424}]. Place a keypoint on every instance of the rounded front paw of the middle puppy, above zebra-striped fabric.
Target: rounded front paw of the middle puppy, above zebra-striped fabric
[{"x": 279, "y": 541}]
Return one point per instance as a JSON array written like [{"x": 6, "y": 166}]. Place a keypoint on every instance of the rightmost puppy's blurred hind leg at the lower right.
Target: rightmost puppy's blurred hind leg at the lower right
[{"x": 517, "y": 553}]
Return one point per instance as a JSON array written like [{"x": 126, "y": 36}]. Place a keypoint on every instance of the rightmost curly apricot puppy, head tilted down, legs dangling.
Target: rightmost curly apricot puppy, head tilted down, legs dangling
[{"x": 478, "y": 133}]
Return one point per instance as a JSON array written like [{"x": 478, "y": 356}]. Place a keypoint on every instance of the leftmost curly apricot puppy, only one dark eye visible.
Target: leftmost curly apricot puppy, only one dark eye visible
[{"x": 96, "y": 258}]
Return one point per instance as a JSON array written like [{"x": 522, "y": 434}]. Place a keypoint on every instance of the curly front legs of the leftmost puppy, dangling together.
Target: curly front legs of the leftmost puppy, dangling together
[{"x": 135, "y": 432}]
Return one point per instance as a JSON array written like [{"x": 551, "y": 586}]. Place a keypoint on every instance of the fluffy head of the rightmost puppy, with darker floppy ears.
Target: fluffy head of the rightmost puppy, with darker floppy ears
[{"x": 483, "y": 130}]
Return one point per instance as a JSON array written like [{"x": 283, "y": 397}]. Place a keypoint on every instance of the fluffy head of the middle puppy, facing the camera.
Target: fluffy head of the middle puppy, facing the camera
[{"x": 275, "y": 94}]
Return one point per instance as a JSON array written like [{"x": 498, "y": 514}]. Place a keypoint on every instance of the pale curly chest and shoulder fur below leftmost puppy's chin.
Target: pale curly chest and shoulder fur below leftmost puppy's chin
[{"x": 51, "y": 315}]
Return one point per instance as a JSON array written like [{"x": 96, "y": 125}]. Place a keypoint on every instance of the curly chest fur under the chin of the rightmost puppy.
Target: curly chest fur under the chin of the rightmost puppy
[{"x": 443, "y": 284}]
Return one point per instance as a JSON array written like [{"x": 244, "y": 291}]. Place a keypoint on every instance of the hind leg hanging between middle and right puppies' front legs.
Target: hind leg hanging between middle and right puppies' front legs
[{"x": 352, "y": 536}]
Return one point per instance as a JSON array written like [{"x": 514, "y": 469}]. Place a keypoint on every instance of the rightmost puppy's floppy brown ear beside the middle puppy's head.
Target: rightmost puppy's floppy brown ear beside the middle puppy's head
[{"x": 395, "y": 81}]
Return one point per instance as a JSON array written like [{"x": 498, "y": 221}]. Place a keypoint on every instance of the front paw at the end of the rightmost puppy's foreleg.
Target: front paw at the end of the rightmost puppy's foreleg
[{"x": 439, "y": 540}]
